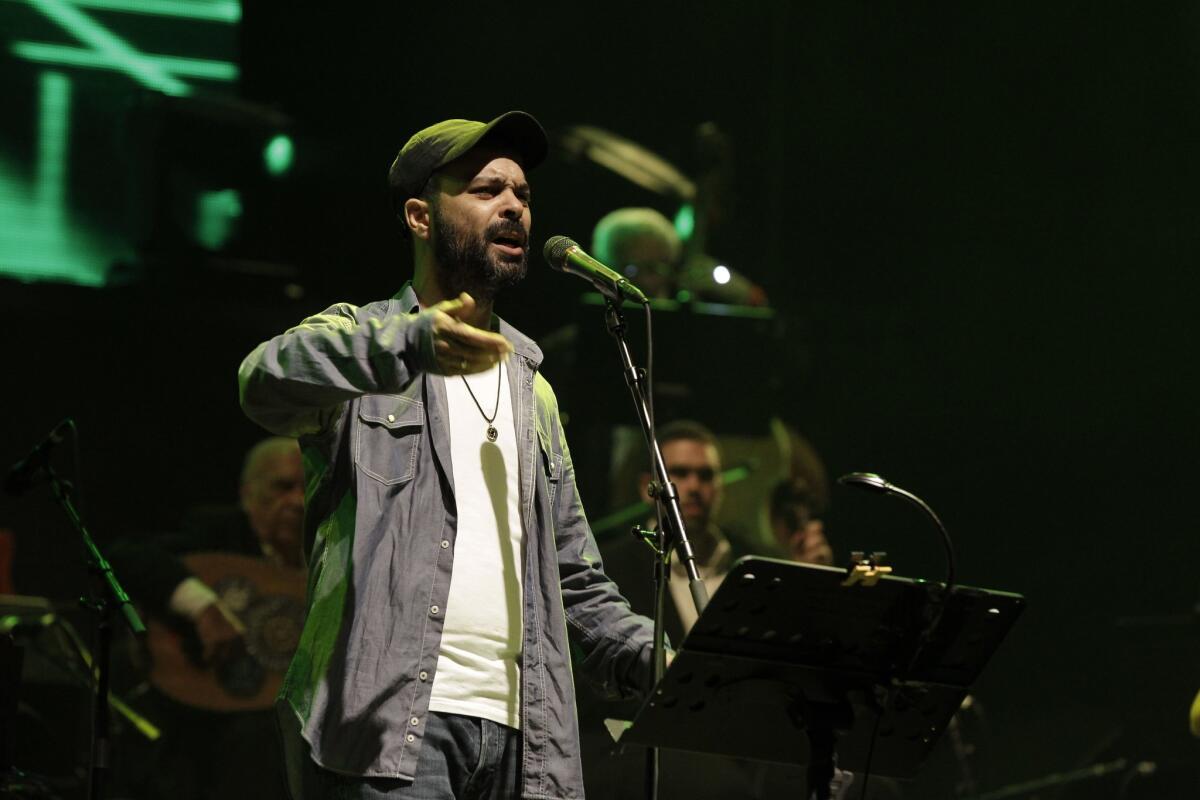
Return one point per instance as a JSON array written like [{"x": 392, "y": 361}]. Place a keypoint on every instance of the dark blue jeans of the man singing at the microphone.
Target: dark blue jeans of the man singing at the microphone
[{"x": 463, "y": 759}]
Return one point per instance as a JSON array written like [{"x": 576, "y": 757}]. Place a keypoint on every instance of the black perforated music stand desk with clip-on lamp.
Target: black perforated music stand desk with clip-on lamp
[{"x": 788, "y": 665}]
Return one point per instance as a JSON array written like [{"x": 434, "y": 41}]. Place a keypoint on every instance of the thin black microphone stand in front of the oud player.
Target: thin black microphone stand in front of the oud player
[{"x": 106, "y": 596}]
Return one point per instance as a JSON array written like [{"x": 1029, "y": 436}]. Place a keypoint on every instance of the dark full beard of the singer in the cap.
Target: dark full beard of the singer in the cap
[{"x": 466, "y": 263}]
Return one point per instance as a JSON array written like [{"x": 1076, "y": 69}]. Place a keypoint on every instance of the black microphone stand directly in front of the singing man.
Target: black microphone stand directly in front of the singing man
[{"x": 671, "y": 528}]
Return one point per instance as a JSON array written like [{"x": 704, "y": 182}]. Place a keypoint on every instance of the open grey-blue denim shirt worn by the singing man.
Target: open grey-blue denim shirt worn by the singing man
[{"x": 381, "y": 519}]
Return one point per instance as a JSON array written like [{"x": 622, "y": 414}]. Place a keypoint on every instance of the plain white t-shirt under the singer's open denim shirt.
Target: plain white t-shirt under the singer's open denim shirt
[{"x": 479, "y": 671}]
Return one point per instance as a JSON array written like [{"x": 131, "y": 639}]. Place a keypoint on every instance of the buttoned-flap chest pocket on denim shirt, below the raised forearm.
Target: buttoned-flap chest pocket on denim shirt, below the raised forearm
[{"x": 391, "y": 429}]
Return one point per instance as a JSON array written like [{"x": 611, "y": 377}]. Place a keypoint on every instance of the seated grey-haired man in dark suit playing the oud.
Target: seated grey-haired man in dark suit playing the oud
[{"x": 225, "y": 749}]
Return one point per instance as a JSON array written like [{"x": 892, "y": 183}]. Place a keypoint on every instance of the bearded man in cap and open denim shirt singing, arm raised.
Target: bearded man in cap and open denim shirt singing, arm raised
[{"x": 448, "y": 550}]
